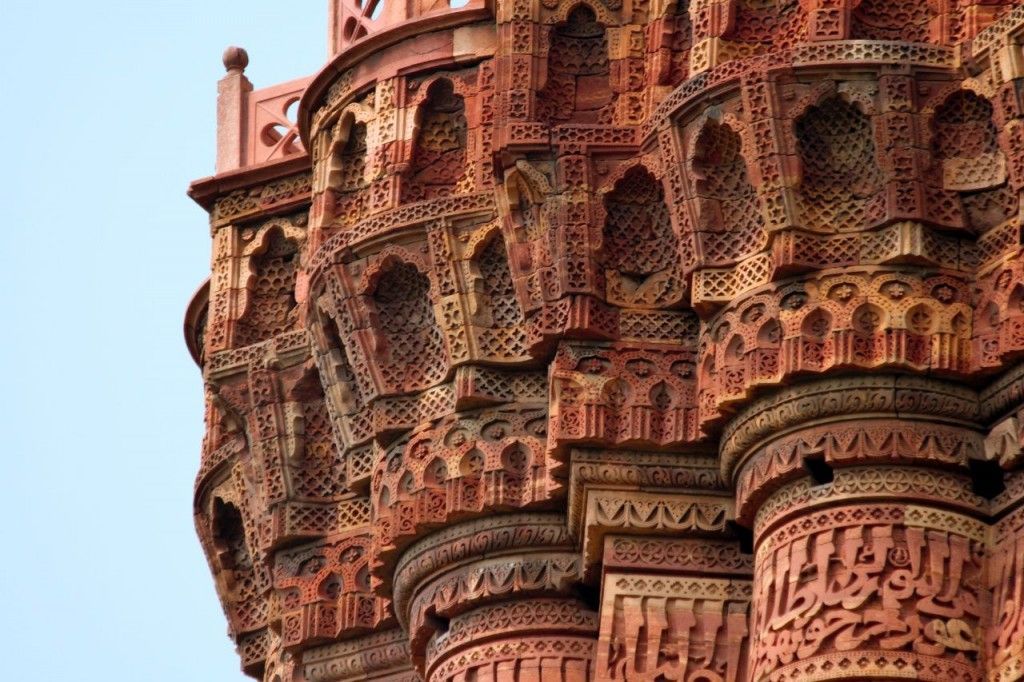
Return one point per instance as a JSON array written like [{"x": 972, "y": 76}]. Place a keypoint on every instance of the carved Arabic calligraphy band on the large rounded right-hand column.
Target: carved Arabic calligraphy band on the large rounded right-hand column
[{"x": 874, "y": 579}]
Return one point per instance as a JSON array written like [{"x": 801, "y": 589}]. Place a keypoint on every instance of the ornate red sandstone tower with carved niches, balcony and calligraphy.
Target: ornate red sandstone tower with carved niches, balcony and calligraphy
[{"x": 571, "y": 340}]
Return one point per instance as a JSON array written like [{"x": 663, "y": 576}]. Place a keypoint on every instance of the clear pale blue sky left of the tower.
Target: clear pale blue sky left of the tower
[{"x": 109, "y": 111}]
